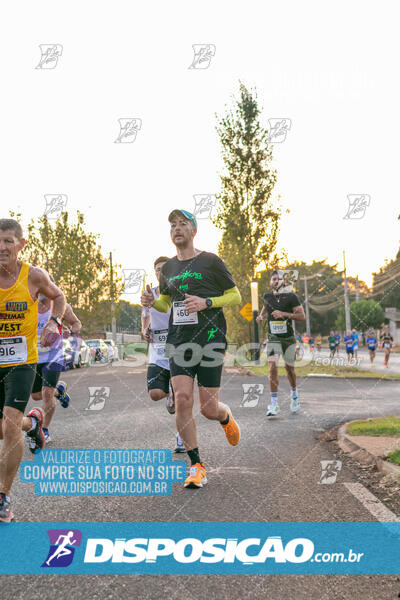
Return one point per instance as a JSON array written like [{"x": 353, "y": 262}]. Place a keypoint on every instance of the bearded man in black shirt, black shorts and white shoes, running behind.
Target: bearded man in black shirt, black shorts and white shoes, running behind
[{"x": 281, "y": 309}]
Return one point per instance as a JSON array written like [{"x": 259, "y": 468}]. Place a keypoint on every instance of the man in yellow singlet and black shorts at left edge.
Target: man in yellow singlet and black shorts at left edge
[{"x": 20, "y": 285}]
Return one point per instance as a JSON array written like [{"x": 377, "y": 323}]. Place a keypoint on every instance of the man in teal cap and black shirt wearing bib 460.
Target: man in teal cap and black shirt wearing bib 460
[{"x": 195, "y": 286}]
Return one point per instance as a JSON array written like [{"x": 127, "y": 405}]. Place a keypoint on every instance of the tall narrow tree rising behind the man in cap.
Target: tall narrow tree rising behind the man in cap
[{"x": 248, "y": 216}]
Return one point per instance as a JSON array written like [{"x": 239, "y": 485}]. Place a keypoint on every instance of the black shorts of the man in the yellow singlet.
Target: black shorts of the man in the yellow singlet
[{"x": 15, "y": 386}]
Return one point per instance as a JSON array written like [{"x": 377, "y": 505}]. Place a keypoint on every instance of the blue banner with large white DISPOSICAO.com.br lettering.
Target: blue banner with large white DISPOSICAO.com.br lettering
[{"x": 196, "y": 548}]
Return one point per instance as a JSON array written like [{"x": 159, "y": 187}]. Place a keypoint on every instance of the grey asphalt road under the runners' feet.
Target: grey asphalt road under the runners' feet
[{"x": 272, "y": 475}]
